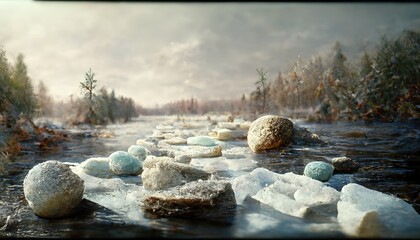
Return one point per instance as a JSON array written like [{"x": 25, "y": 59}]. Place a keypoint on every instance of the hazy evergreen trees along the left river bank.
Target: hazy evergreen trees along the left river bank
[{"x": 21, "y": 102}]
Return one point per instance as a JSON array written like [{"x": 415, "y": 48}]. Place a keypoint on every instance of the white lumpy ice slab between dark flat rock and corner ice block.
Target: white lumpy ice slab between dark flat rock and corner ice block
[{"x": 288, "y": 193}]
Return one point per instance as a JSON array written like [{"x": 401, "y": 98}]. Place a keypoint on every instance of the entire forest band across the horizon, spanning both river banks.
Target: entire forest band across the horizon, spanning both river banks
[{"x": 382, "y": 86}]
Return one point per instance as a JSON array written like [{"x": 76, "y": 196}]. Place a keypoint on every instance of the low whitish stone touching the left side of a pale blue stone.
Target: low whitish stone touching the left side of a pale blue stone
[{"x": 97, "y": 167}]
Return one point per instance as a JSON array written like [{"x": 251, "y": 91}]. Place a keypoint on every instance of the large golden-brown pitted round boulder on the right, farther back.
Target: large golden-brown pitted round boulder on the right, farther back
[{"x": 269, "y": 132}]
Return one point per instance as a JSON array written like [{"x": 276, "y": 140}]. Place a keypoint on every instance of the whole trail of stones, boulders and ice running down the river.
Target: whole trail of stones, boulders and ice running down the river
[{"x": 177, "y": 172}]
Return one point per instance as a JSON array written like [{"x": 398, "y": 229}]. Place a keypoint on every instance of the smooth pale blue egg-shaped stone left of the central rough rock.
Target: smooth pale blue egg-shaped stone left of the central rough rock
[{"x": 123, "y": 163}]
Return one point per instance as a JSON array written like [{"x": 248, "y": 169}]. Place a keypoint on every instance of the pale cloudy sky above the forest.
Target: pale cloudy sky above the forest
[{"x": 157, "y": 52}]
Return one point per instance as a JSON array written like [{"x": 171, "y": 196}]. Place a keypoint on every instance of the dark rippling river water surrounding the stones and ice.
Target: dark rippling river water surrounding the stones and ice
[{"x": 387, "y": 153}]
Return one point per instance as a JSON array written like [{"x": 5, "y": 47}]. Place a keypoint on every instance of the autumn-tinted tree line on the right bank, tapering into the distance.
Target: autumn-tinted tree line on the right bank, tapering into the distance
[{"x": 381, "y": 86}]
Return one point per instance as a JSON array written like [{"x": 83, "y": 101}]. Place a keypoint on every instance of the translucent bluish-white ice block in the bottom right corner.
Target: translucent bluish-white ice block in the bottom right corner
[{"x": 363, "y": 212}]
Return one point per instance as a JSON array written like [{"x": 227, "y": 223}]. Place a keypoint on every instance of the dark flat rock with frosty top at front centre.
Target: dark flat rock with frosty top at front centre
[{"x": 199, "y": 199}]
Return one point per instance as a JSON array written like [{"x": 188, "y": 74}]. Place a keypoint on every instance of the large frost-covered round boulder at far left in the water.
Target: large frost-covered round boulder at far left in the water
[{"x": 52, "y": 189}]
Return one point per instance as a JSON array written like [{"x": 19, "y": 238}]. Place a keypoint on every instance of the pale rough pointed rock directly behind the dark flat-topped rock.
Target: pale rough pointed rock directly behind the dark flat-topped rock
[{"x": 163, "y": 172}]
